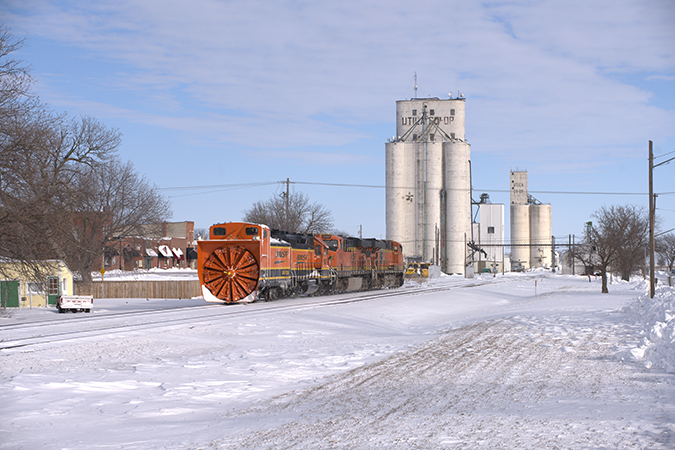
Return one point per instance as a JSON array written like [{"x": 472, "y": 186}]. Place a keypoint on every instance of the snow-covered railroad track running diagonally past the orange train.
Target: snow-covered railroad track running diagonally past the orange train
[{"x": 33, "y": 335}]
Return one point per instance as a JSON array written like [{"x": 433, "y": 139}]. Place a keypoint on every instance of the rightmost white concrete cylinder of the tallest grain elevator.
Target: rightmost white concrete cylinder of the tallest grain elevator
[{"x": 457, "y": 176}]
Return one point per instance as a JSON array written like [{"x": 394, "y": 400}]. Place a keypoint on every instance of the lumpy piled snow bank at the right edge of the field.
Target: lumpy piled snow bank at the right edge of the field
[{"x": 656, "y": 320}]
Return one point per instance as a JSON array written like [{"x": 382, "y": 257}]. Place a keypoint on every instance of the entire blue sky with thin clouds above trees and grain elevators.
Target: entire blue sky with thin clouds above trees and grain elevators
[{"x": 217, "y": 101}]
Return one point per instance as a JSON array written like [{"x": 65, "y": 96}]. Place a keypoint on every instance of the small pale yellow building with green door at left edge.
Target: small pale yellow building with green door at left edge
[{"x": 17, "y": 291}]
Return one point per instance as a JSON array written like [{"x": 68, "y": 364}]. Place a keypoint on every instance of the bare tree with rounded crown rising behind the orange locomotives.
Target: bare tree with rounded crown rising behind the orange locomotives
[{"x": 297, "y": 215}]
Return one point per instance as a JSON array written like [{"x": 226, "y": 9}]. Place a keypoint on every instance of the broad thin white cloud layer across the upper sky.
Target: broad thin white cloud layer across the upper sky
[{"x": 536, "y": 73}]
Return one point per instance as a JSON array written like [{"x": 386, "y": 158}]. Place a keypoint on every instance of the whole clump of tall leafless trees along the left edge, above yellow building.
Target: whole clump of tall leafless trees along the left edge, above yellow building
[{"x": 63, "y": 192}]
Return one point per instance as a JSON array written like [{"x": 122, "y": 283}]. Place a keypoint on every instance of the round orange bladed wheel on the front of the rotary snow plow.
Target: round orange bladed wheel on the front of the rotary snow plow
[{"x": 231, "y": 273}]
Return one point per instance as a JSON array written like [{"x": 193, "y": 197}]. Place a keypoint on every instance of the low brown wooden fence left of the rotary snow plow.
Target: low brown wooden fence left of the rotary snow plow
[{"x": 140, "y": 289}]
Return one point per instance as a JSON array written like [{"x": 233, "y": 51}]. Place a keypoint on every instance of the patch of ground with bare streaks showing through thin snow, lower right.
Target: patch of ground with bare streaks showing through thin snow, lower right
[{"x": 518, "y": 383}]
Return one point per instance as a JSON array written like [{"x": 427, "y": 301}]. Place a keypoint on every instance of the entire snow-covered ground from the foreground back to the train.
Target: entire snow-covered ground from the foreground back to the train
[{"x": 526, "y": 361}]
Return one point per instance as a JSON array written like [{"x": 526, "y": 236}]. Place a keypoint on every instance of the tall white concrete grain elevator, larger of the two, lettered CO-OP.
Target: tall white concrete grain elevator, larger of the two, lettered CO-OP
[{"x": 428, "y": 182}]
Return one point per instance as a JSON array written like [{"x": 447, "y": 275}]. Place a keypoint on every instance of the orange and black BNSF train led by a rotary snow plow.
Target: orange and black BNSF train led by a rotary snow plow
[{"x": 245, "y": 262}]
